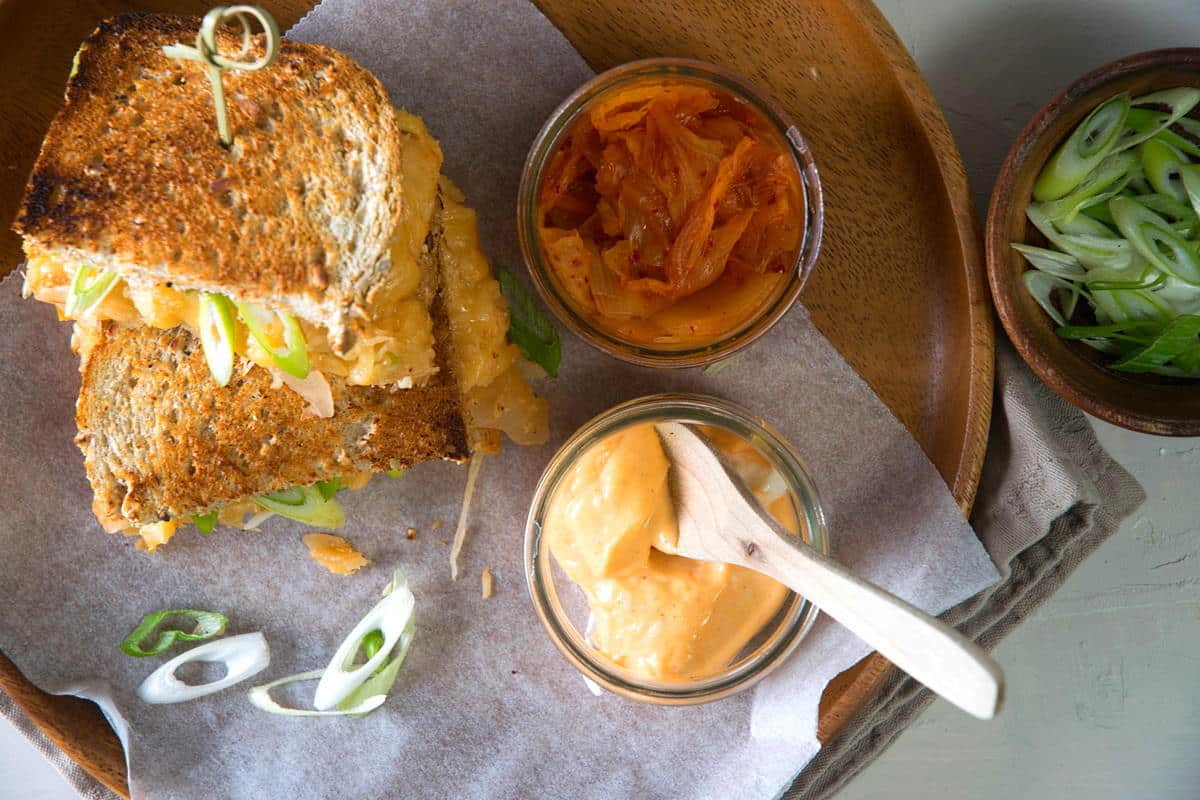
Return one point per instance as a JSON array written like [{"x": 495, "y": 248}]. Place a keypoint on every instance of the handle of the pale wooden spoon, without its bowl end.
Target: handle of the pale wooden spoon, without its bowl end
[{"x": 923, "y": 646}]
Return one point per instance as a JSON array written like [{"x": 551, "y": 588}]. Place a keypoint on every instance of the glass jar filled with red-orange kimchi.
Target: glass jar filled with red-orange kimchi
[{"x": 670, "y": 213}]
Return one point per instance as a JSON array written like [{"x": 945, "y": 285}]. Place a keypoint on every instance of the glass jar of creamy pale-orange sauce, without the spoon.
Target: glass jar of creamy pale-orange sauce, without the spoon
[{"x": 629, "y": 615}]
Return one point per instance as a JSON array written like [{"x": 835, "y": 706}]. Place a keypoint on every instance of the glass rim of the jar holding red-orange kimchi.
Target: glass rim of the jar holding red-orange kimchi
[{"x": 560, "y": 123}]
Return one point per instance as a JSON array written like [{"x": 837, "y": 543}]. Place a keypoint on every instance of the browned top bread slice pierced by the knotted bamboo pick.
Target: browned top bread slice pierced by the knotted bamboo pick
[{"x": 297, "y": 215}]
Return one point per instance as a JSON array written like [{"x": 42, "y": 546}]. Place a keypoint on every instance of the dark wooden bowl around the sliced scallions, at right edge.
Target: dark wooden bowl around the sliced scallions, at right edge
[{"x": 1147, "y": 404}]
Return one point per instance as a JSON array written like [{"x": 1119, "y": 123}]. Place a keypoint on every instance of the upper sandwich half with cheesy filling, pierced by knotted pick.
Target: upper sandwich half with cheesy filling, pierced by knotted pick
[{"x": 307, "y": 232}]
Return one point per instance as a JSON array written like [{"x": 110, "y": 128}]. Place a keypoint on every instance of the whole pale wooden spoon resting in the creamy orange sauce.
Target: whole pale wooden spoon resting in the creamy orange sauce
[{"x": 722, "y": 521}]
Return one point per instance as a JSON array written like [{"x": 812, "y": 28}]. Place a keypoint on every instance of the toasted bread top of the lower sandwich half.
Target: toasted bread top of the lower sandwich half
[{"x": 160, "y": 442}]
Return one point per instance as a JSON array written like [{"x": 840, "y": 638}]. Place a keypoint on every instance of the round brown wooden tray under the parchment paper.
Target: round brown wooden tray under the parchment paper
[{"x": 899, "y": 287}]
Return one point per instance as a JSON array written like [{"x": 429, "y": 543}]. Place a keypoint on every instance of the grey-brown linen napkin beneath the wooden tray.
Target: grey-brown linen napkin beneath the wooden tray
[{"x": 1049, "y": 497}]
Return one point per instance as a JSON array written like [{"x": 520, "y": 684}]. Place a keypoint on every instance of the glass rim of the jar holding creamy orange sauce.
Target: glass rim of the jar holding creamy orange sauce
[{"x": 789, "y": 633}]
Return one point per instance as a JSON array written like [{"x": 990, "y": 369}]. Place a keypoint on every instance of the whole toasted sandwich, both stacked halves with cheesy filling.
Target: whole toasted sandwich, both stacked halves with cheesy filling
[{"x": 328, "y": 215}]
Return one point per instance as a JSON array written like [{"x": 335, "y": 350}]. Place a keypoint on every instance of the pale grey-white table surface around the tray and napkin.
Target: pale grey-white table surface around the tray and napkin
[{"x": 1103, "y": 700}]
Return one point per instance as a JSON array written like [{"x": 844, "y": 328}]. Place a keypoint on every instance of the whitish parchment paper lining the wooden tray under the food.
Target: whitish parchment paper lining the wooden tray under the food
[{"x": 485, "y": 706}]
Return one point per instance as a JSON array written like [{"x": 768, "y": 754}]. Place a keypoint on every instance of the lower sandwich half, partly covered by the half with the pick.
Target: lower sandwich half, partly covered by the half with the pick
[{"x": 161, "y": 444}]
